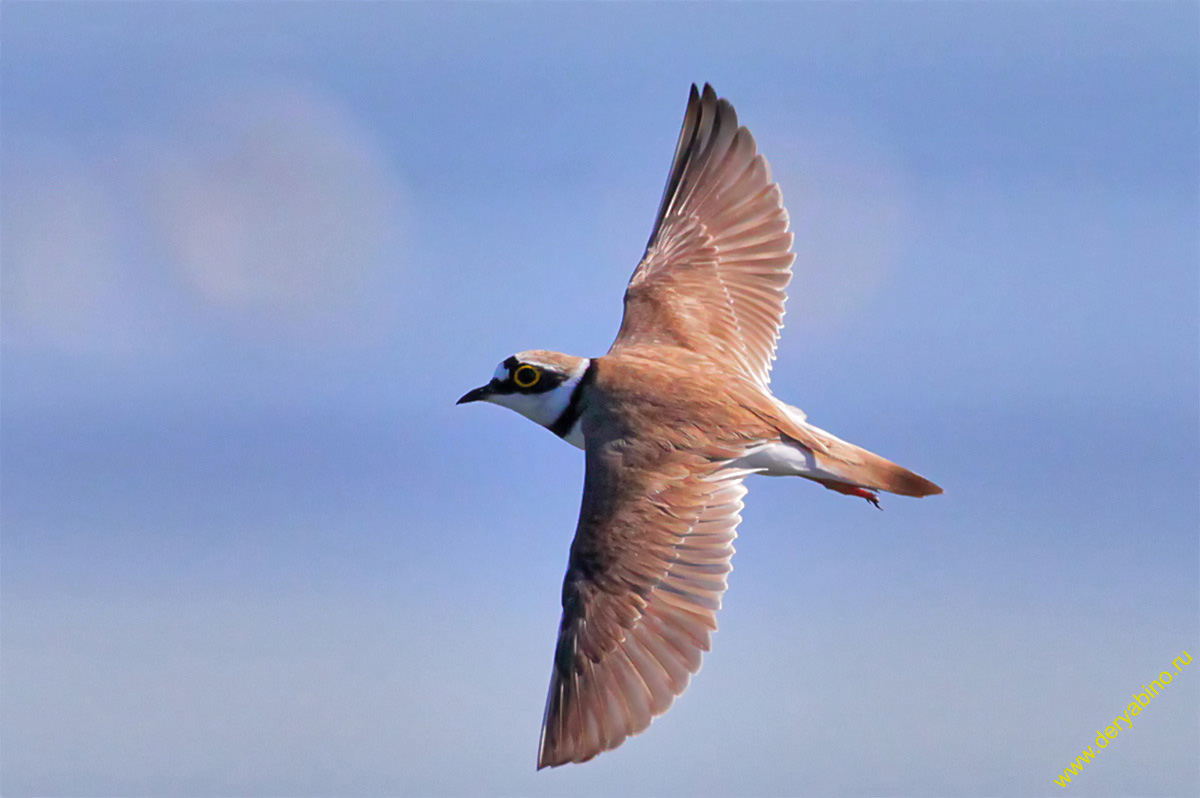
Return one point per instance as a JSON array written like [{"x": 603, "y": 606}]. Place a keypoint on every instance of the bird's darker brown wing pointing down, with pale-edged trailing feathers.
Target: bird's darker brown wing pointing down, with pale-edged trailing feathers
[{"x": 646, "y": 577}]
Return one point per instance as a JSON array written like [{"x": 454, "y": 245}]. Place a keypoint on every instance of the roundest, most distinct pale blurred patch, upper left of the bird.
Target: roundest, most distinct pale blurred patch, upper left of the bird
[{"x": 278, "y": 202}]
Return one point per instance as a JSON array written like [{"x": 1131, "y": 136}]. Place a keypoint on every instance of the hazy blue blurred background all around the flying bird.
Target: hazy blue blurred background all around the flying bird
[{"x": 253, "y": 254}]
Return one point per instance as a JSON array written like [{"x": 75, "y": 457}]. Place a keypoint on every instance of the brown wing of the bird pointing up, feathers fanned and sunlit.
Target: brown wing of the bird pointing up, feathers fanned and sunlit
[{"x": 715, "y": 274}]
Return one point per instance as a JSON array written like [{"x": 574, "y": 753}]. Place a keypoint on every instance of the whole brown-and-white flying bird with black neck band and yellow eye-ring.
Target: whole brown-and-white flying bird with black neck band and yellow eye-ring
[{"x": 673, "y": 419}]
